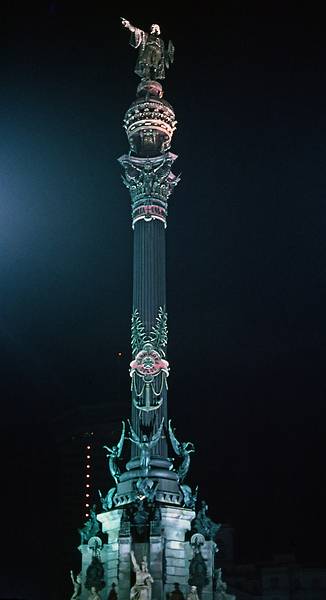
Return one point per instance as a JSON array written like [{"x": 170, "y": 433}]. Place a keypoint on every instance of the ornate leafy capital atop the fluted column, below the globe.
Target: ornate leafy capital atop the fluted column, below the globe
[{"x": 150, "y": 183}]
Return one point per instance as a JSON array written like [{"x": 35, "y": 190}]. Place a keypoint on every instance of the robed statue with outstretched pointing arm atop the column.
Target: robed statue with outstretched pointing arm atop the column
[{"x": 153, "y": 57}]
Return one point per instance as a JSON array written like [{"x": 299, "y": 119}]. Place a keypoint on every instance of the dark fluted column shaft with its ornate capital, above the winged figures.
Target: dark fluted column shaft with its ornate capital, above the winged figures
[{"x": 150, "y": 182}]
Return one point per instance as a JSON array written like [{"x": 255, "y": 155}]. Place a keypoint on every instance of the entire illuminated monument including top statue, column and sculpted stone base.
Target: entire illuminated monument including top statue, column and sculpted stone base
[{"x": 152, "y": 535}]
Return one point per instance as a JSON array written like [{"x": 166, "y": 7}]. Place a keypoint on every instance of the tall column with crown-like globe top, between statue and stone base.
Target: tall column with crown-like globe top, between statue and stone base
[{"x": 149, "y": 124}]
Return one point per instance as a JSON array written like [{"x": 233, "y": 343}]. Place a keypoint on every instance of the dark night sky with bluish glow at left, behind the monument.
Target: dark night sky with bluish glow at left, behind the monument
[{"x": 246, "y": 261}]
